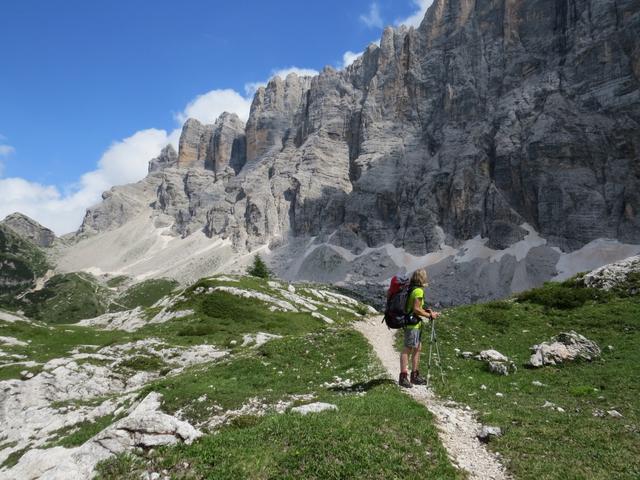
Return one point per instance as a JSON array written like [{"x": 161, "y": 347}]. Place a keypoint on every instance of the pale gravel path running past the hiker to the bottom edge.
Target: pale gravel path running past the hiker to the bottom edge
[{"x": 457, "y": 426}]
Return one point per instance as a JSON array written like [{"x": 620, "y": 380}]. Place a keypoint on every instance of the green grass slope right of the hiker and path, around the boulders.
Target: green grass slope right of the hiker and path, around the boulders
[{"x": 544, "y": 443}]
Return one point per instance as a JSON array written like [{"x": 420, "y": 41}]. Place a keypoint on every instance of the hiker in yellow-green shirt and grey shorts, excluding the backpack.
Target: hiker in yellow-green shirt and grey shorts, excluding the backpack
[{"x": 413, "y": 333}]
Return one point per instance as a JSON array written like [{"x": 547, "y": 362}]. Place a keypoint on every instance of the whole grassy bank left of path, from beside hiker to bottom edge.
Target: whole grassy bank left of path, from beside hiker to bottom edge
[{"x": 379, "y": 433}]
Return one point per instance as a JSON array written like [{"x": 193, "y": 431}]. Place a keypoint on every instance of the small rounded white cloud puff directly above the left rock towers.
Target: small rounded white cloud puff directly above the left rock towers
[{"x": 207, "y": 108}]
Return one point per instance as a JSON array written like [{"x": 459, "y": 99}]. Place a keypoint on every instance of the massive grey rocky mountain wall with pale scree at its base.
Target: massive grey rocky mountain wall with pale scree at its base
[{"x": 498, "y": 144}]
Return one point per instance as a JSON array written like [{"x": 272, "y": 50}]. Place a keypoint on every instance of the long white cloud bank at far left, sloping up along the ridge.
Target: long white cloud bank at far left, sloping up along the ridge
[{"x": 124, "y": 162}]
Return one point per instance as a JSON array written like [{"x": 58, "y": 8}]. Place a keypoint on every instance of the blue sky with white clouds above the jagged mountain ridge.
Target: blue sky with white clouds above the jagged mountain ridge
[{"x": 89, "y": 90}]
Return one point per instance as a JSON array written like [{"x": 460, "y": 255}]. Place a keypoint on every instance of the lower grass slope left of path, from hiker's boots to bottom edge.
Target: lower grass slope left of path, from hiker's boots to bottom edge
[{"x": 383, "y": 434}]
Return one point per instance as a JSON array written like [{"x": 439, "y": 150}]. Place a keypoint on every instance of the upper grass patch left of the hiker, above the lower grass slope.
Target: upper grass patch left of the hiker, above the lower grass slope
[{"x": 288, "y": 366}]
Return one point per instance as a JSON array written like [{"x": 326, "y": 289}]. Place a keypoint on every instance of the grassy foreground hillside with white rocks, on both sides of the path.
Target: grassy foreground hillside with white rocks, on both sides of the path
[{"x": 222, "y": 367}]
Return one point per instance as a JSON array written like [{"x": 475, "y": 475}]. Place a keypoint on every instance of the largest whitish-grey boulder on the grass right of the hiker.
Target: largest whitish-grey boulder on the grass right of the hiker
[{"x": 564, "y": 348}]
